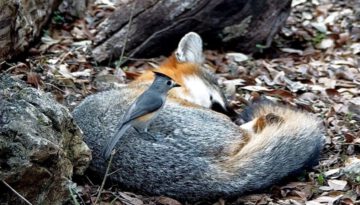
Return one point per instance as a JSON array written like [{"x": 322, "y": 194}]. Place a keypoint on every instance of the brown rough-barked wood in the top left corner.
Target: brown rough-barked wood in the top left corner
[{"x": 21, "y": 22}]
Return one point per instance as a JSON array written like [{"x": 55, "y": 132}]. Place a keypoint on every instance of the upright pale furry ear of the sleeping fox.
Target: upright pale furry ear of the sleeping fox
[{"x": 190, "y": 49}]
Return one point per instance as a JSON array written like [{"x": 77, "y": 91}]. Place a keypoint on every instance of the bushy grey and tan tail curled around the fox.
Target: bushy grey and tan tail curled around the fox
[{"x": 279, "y": 149}]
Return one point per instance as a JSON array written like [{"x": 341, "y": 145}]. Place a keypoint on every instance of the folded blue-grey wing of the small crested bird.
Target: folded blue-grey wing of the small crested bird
[{"x": 147, "y": 103}]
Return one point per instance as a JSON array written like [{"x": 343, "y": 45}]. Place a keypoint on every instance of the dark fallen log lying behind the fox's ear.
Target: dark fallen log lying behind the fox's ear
[{"x": 158, "y": 25}]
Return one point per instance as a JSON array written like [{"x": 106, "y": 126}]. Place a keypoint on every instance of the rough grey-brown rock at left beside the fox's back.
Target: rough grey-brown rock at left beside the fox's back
[{"x": 40, "y": 146}]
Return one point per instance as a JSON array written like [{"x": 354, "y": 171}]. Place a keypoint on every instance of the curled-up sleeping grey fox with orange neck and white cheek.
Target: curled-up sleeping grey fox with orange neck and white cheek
[{"x": 198, "y": 153}]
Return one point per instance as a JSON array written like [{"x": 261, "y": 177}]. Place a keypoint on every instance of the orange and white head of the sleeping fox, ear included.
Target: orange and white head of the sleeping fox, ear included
[{"x": 198, "y": 85}]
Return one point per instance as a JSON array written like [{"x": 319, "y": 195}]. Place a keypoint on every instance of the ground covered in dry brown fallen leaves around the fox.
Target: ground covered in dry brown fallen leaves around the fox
[{"x": 313, "y": 64}]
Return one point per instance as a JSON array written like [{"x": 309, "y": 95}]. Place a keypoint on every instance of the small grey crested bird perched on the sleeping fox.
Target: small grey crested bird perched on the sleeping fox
[{"x": 143, "y": 110}]
